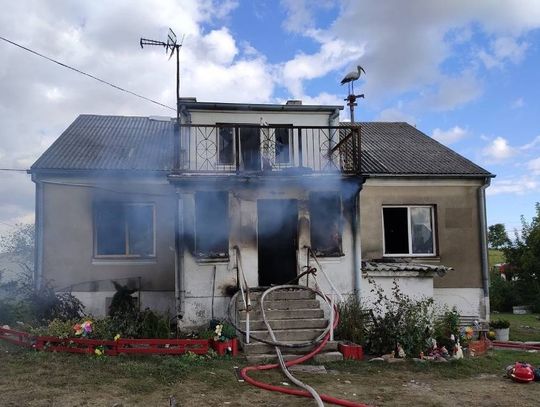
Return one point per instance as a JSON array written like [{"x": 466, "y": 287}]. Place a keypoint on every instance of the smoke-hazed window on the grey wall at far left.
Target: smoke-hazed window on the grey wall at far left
[{"x": 124, "y": 229}]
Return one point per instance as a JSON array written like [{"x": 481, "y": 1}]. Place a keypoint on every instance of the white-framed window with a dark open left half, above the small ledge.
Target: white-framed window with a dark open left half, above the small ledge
[{"x": 408, "y": 230}]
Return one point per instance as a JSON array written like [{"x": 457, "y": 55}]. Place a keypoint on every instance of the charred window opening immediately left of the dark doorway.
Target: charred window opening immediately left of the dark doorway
[{"x": 212, "y": 224}]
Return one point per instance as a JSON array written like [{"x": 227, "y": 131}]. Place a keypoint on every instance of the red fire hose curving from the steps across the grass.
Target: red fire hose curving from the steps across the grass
[{"x": 296, "y": 392}]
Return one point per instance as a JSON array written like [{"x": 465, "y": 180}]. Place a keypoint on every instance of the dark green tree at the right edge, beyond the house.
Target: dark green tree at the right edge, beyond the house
[{"x": 523, "y": 254}]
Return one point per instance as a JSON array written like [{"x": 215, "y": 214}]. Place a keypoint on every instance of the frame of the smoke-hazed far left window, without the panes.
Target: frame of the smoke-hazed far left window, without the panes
[{"x": 126, "y": 254}]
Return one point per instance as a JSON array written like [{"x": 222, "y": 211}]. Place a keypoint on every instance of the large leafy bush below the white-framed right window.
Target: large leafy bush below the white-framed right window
[{"x": 401, "y": 320}]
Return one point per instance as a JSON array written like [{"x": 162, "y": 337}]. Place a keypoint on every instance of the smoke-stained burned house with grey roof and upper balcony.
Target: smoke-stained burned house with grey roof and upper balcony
[{"x": 185, "y": 211}]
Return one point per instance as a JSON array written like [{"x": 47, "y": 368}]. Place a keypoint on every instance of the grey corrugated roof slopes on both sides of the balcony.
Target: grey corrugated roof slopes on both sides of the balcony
[{"x": 125, "y": 143}]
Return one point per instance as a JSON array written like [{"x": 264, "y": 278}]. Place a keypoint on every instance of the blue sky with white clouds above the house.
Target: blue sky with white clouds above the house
[{"x": 465, "y": 73}]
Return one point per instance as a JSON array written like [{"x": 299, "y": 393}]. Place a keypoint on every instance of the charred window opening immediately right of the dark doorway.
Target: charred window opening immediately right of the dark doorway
[{"x": 326, "y": 225}]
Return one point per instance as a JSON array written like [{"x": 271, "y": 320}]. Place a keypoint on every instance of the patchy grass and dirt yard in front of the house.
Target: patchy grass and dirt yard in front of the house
[{"x": 29, "y": 378}]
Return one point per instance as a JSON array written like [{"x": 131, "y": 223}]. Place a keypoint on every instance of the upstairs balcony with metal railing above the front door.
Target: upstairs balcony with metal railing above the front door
[{"x": 268, "y": 150}]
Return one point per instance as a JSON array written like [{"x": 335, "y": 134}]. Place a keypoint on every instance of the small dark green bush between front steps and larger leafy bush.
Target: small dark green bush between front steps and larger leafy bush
[{"x": 352, "y": 321}]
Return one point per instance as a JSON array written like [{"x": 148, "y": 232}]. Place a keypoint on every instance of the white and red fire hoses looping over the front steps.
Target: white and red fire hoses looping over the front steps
[{"x": 322, "y": 340}]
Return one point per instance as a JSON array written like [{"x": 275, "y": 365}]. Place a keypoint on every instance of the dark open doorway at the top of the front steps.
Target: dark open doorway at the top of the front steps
[{"x": 277, "y": 239}]
